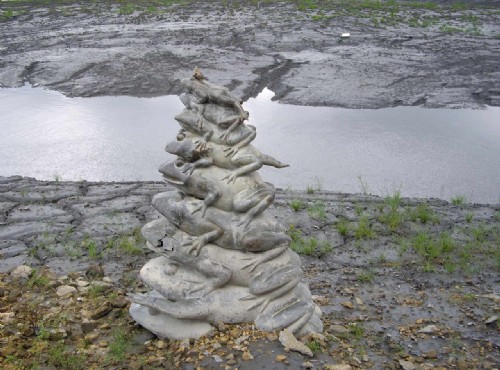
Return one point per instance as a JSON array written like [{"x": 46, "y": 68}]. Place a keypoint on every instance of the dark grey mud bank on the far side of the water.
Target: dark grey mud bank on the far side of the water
[{"x": 404, "y": 54}]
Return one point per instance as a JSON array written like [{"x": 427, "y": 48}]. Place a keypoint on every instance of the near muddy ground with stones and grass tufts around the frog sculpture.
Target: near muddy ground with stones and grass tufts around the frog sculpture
[{"x": 403, "y": 283}]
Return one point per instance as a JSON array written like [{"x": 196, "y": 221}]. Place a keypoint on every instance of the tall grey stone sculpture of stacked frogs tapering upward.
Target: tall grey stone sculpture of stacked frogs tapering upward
[{"x": 223, "y": 259}]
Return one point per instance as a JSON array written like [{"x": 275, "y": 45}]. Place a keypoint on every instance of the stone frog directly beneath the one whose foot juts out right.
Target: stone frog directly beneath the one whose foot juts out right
[{"x": 248, "y": 195}]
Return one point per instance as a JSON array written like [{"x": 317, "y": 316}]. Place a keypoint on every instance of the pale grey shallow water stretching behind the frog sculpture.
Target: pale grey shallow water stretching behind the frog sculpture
[{"x": 422, "y": 152}]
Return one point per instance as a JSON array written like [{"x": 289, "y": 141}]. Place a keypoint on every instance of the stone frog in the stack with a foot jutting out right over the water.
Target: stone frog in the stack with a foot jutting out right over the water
[{"x": 200, "y": 152}]
